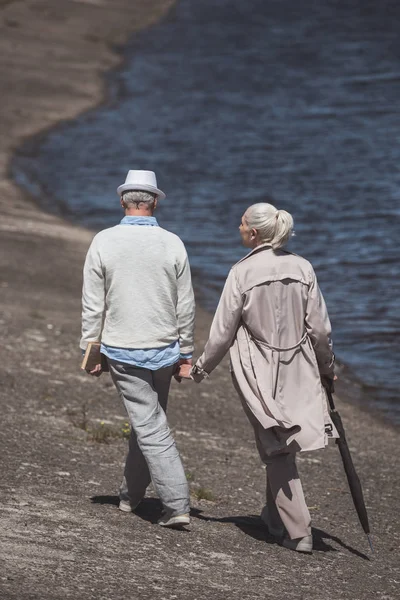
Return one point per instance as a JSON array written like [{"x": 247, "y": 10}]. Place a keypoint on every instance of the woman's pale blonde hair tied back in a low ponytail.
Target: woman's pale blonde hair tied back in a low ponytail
[{"x": 273, "y": 226}]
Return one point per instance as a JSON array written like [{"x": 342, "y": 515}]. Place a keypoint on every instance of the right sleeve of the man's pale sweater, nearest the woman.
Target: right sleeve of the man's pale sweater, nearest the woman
[{"x": 185, "y": 306}]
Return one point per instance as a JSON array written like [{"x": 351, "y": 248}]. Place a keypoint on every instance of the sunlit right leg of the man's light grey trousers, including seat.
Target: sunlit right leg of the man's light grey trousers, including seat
[{"x": 140, "y": 390}]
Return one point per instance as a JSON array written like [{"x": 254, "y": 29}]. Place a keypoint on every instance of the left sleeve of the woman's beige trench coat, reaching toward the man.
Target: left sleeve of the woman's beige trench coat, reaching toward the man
[{"x": 223, "y": 328}]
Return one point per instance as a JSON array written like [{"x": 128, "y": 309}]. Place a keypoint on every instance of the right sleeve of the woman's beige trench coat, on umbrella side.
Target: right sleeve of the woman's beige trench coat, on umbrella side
[{"x": 319, "y": 328}]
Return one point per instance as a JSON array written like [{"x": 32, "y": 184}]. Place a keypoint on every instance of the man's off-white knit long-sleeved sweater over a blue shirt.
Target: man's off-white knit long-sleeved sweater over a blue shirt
[{"x": 137, "y": 290}]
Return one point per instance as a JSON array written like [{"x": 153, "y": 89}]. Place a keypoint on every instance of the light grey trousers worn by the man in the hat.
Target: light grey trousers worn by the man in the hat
[{"x": 152, "y": 451}]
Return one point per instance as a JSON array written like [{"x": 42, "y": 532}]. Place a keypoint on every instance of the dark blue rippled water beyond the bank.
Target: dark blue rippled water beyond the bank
[{"x": 231, "y": 103}]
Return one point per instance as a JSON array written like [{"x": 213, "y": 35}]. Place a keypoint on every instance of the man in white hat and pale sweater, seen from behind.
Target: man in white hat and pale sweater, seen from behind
[{"x": 138, "y": 301}]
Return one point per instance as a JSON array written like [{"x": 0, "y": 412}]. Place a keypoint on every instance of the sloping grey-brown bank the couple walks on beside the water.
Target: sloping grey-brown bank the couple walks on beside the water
[{"x": 62, "y": 534}]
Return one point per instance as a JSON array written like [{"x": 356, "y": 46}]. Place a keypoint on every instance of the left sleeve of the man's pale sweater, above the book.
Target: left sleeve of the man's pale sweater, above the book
[{"x": 93, "y": 297}]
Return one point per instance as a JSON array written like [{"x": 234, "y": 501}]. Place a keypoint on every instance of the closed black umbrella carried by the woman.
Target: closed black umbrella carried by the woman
[{"x": 352, "y": 477}]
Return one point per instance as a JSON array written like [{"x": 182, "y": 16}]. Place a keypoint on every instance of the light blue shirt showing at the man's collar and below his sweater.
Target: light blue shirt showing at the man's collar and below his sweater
[{"x": 146, "y": 358}]
